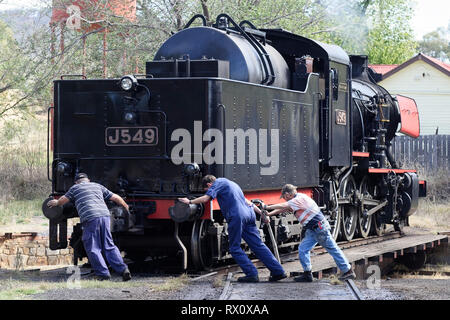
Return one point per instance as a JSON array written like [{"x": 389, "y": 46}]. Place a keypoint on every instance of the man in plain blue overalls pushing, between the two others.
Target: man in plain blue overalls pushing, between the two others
[{"x": 240, "y": 216}]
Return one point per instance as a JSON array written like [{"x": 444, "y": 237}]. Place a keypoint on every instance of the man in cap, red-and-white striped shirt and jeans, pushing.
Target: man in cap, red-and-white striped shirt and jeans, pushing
[{"x": 317, "y": 231}]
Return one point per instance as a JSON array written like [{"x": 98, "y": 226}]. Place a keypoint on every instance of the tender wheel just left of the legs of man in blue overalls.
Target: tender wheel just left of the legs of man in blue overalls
[{"x": 201, "y": 250}]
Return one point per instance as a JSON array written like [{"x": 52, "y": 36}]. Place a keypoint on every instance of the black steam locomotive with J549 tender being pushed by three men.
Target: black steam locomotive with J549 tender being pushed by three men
[{"x": 262, "y": 107}]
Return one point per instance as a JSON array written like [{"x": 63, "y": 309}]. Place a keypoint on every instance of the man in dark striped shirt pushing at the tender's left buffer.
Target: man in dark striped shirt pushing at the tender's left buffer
[{"x": 89, "y": 198}]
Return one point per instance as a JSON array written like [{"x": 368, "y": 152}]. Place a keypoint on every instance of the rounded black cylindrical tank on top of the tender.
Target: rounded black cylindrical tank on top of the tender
[{"x": 247, "y": 62}]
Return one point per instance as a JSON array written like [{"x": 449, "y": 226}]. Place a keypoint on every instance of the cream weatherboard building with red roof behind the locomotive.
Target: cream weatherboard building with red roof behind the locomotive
[{"x": 427, "y": 81}]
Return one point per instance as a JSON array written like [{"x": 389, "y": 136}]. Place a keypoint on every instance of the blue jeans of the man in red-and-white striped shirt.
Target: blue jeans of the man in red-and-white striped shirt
[{"x": 322, "y": 236}]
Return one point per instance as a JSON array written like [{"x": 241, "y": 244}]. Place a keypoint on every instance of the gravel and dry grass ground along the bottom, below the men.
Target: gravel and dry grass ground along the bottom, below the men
[{"x": 55, "y": 284}]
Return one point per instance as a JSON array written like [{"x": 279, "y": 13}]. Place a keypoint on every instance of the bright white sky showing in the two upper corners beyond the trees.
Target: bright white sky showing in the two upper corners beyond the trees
[{"x": 429, "y": 14}]
